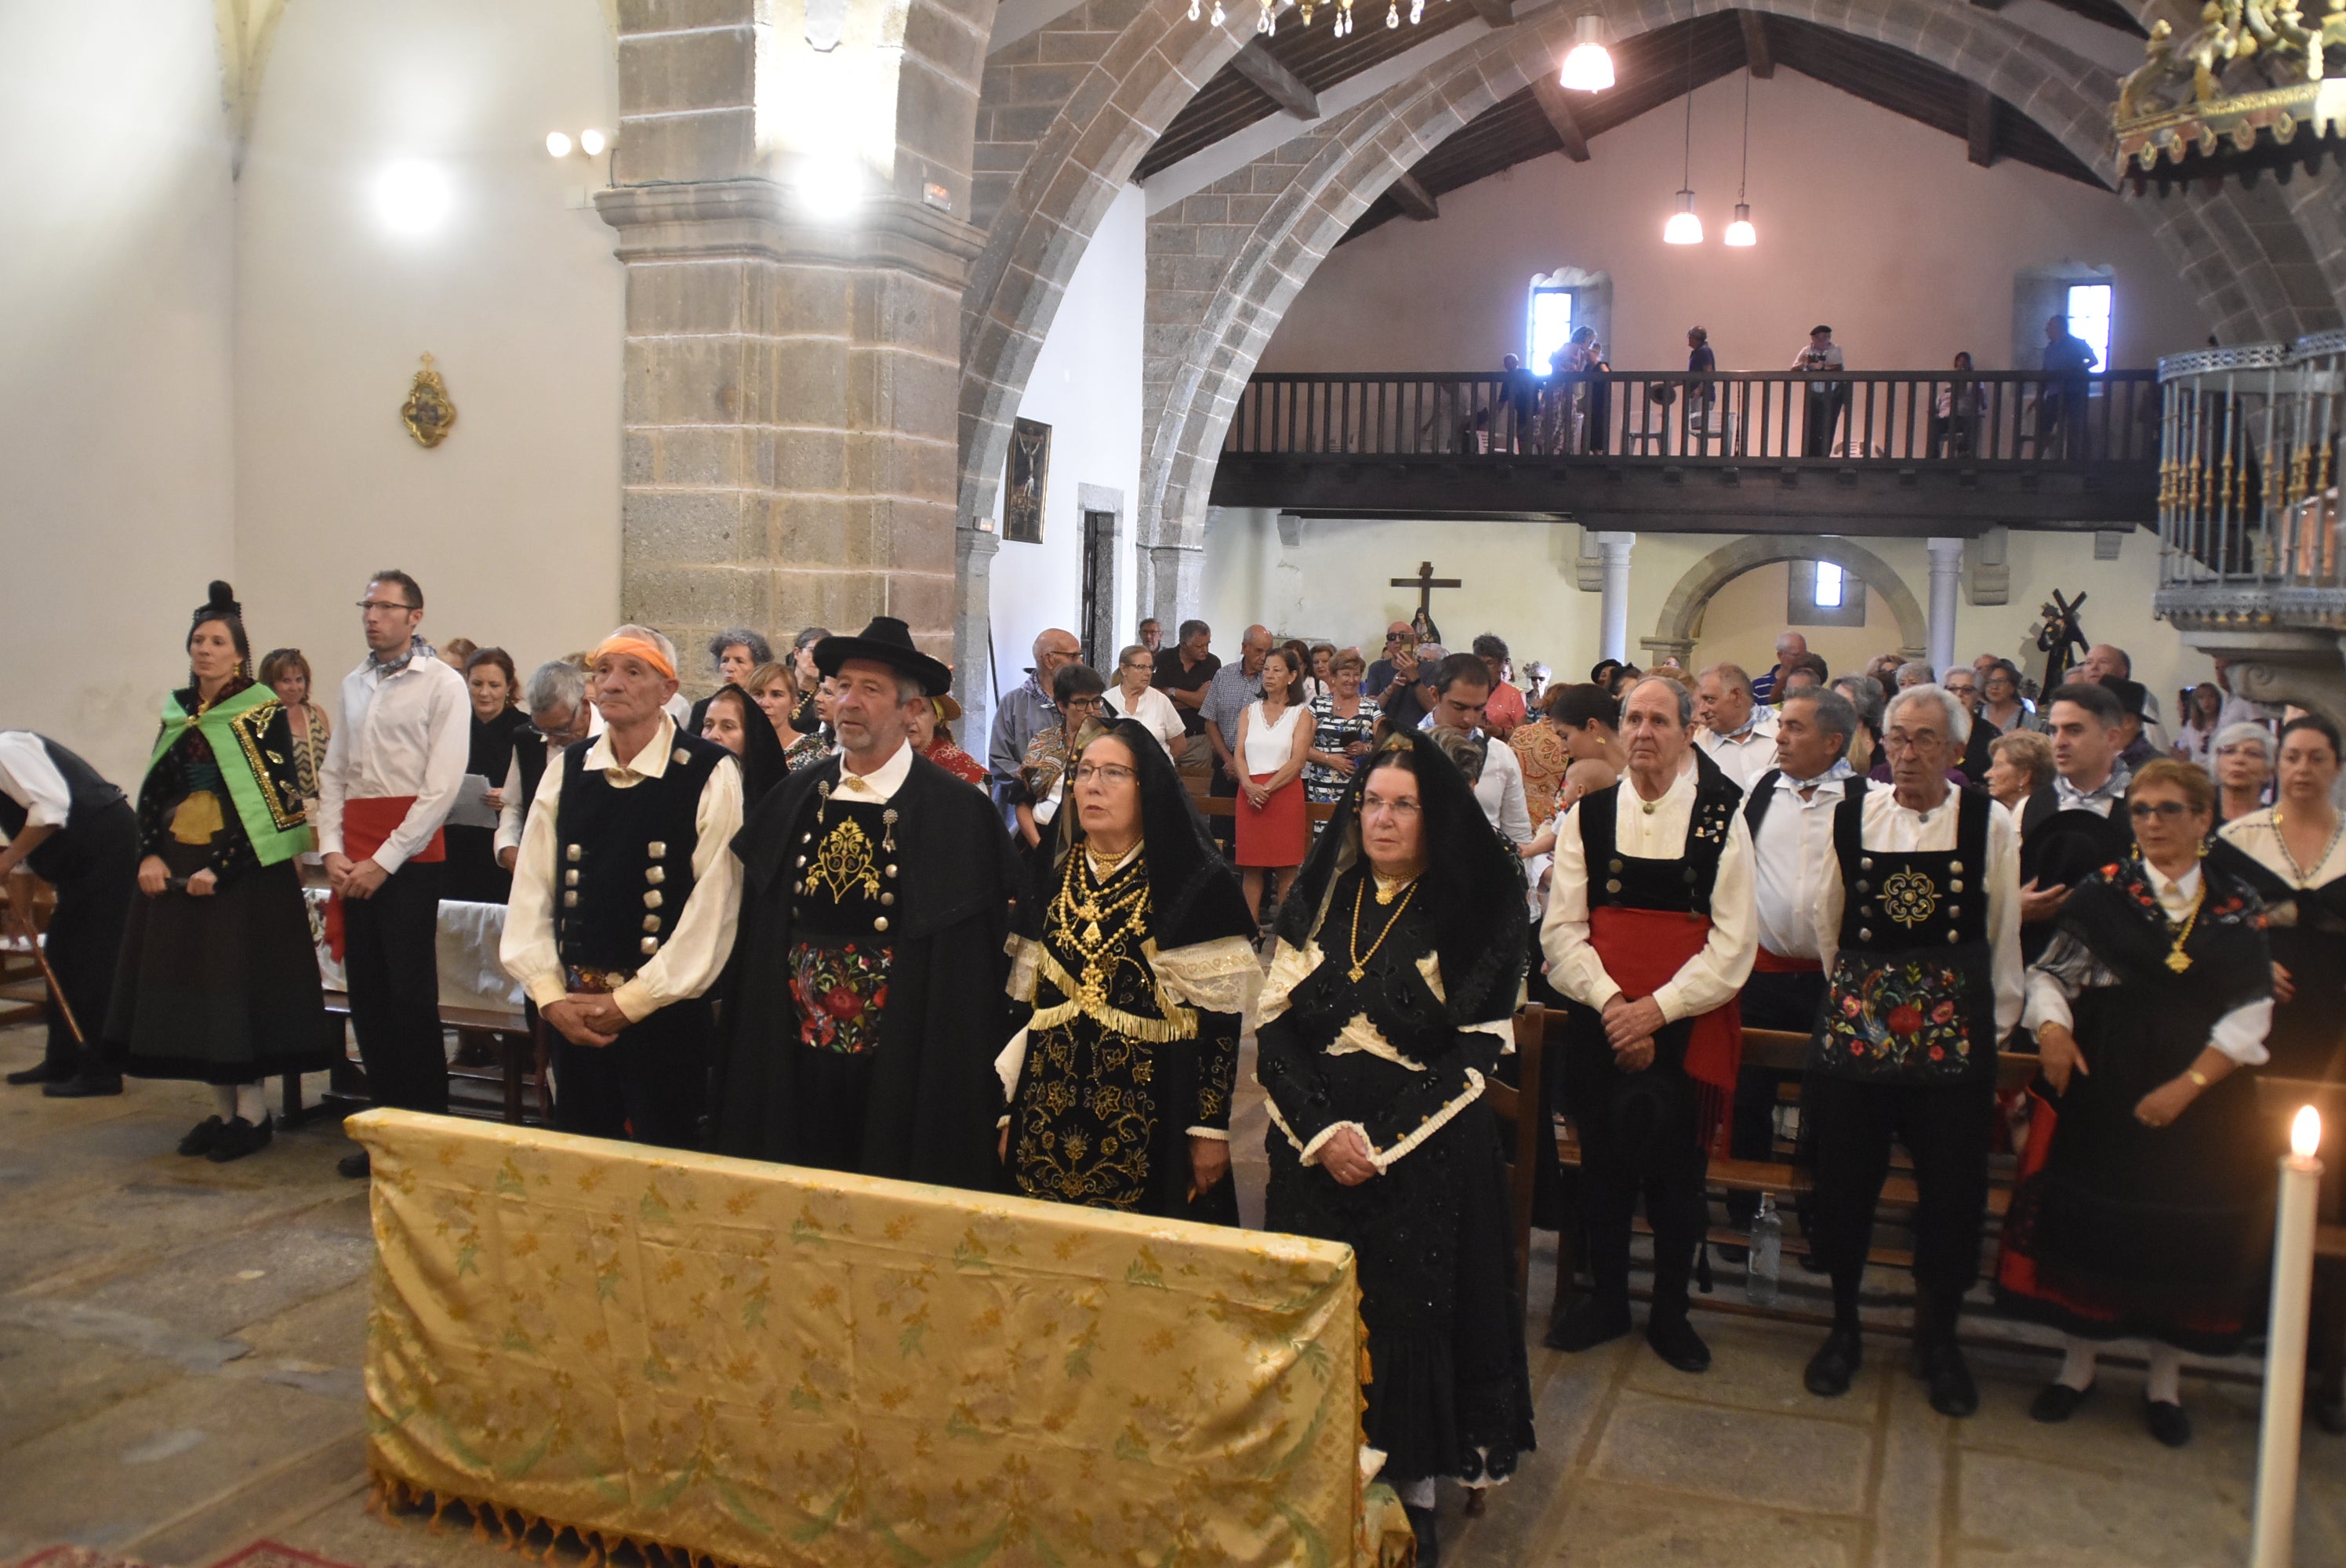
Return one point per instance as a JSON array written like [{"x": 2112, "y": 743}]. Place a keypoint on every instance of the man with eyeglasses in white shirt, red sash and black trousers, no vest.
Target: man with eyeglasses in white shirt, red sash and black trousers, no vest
[{"x": 391, "y": 776}]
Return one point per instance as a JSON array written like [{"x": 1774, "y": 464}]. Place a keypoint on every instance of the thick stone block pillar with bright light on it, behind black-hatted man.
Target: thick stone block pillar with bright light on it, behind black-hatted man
[{"x": 792, "y": 365}]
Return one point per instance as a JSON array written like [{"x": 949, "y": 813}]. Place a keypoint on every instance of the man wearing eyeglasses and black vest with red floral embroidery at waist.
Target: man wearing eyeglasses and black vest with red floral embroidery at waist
[{"x": 1920, "y": 940}]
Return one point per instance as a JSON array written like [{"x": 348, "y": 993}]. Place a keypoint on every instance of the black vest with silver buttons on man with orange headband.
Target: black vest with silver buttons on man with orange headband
[{"x": 625, "y": 856}]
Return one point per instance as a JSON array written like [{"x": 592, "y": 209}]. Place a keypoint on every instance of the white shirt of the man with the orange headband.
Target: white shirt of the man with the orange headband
[{"x": 696, "y": 952}]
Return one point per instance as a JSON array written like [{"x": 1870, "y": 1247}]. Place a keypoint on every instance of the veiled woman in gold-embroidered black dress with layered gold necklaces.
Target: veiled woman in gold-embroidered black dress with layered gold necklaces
[{"x": 1120, "y": 1083}]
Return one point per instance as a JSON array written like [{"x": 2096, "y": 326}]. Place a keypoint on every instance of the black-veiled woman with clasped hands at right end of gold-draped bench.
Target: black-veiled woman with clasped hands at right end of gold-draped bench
[{"x": 1388, "y": 1006}]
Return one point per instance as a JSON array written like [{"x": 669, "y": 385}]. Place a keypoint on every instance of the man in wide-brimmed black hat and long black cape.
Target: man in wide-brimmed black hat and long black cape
[{"x": 876, "y": 905}]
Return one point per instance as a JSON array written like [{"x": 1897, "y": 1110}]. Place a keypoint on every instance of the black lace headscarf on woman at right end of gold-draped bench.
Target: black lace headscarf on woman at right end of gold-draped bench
[{"x": 1472, "y": 886}]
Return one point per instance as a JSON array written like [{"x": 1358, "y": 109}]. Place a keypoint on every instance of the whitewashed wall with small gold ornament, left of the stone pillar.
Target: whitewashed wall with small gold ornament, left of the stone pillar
[{"x": 513, "y": 525}]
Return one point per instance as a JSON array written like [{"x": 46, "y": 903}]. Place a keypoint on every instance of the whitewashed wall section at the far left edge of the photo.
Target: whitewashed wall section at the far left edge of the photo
[{"x": 116, "y": 431}]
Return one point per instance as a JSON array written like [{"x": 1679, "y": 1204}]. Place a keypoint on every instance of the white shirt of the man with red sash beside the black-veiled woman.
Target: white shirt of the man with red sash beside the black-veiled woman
[{"x": 1704, "y": 982}]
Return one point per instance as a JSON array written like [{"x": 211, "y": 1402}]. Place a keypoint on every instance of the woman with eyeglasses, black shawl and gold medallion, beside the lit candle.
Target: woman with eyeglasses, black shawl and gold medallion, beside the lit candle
[{"x": 2145, "y": 1196}]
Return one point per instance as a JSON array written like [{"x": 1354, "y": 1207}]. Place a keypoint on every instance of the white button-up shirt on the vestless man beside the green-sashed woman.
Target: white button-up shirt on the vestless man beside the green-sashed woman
[{"x": 405, "y": 734}]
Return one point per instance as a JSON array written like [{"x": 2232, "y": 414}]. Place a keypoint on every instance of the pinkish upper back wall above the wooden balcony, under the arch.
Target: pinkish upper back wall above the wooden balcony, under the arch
[{"x": 1866, "y": 219}]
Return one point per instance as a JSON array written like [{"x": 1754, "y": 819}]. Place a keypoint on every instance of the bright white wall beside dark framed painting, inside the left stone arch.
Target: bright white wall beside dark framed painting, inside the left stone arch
[{"x": 1087, "y": 391}]
